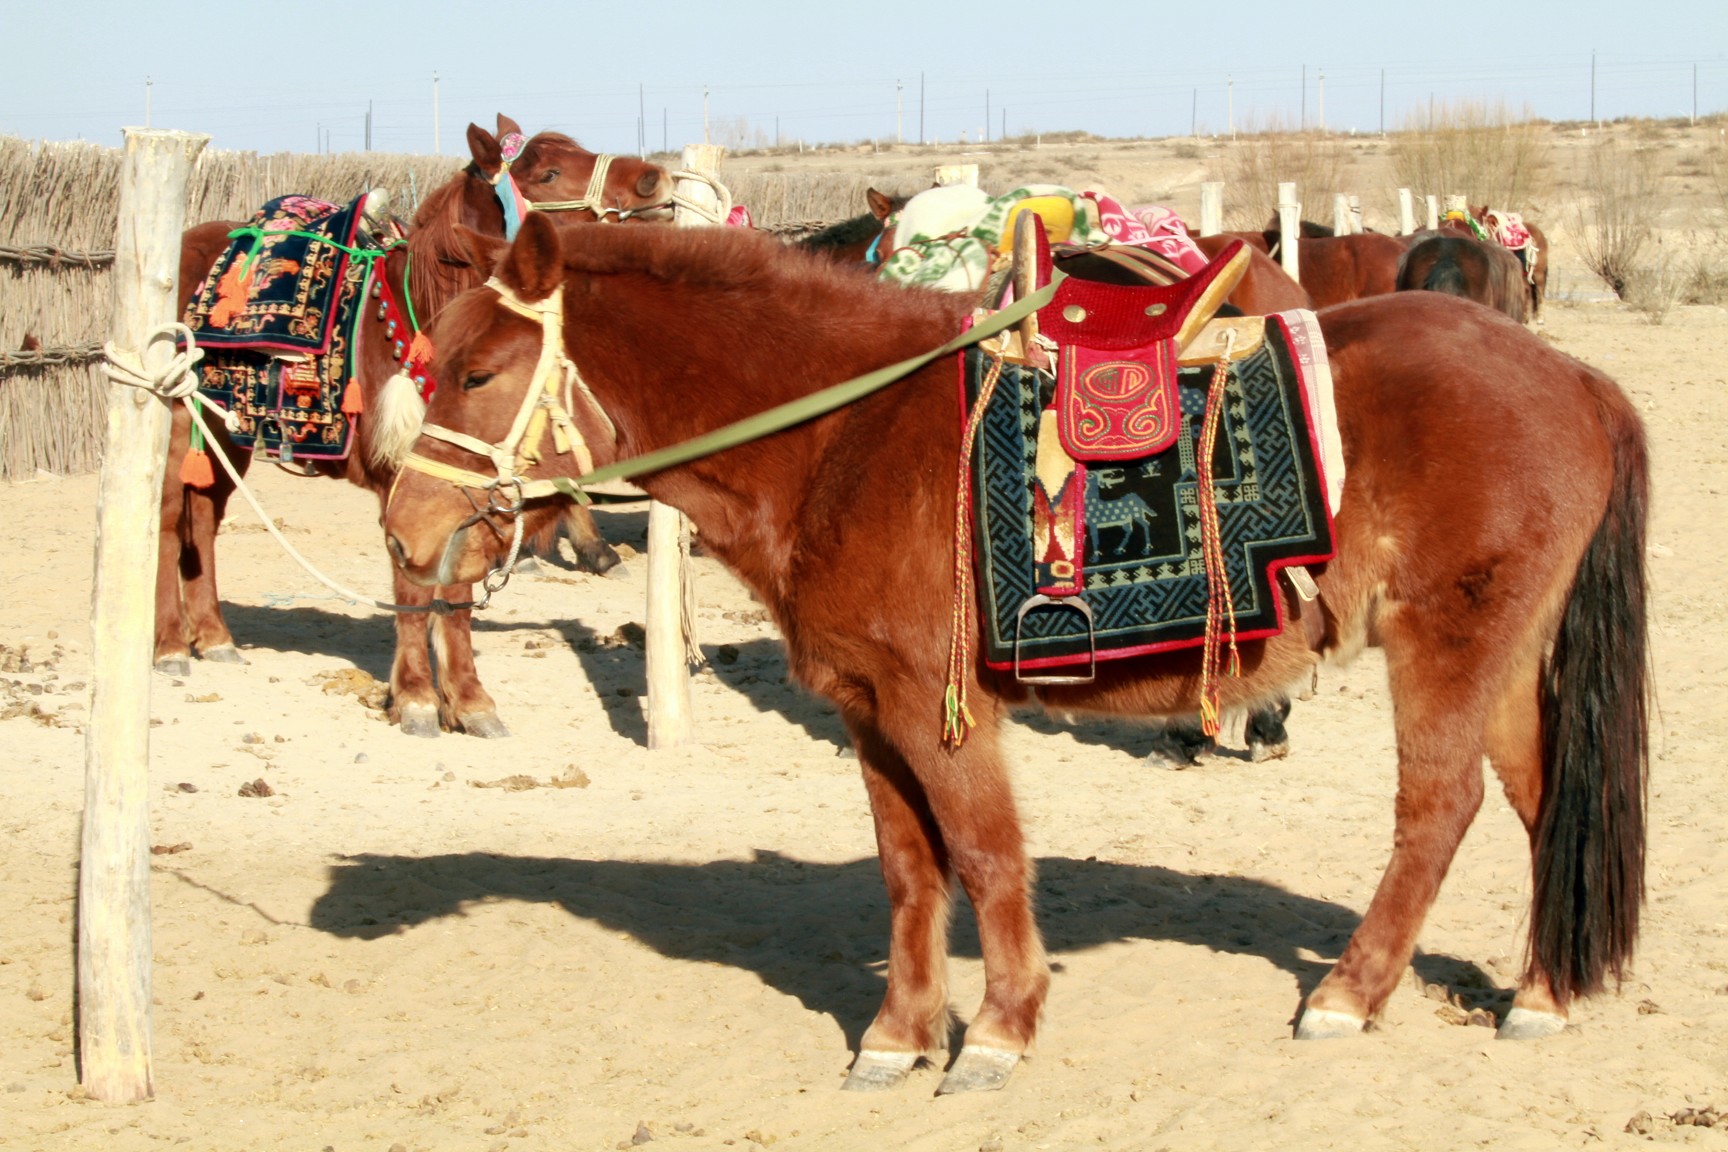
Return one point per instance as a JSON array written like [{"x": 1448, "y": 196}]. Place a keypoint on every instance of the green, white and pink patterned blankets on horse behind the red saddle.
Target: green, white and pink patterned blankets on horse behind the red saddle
[{"x": 956, "y": 237}]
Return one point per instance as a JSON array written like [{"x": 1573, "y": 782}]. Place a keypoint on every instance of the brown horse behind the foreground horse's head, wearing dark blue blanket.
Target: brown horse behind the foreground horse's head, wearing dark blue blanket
[{"x": 187, "y": 605}]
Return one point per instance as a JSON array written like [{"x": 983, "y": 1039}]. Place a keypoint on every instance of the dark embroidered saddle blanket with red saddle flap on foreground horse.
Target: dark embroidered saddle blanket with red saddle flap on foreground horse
[{"x": 1119, "y": 521}]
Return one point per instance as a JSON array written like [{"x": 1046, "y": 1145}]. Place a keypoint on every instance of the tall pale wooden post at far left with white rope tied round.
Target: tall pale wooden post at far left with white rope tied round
[{"x": 115, "y": 856}]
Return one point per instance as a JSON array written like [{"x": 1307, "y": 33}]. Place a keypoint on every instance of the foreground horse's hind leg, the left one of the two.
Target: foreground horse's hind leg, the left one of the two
[{"x": 1439, "y": 719}]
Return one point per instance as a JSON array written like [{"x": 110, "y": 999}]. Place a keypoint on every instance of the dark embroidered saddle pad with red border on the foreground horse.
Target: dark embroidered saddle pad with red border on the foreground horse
[{"x": 1134, "y": 521}]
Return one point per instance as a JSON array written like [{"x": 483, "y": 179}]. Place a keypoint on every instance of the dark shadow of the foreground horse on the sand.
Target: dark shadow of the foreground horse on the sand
[{"x": 818, "y": 932}]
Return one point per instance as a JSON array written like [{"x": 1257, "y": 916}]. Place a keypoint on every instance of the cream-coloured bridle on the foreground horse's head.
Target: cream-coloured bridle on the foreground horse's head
[{"x": 545, "y": 405}]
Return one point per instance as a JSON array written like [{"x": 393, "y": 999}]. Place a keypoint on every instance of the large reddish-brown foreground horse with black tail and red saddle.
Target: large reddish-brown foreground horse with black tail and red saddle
[{"x": 1490, "y": 540}]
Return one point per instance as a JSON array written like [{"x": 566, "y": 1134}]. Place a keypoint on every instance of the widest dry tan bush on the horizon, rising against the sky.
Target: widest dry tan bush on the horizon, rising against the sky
[{"x": 1477, "y": 151}]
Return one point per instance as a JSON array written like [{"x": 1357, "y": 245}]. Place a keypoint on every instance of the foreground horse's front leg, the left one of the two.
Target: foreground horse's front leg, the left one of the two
[{"x": 913, "y": 1020}]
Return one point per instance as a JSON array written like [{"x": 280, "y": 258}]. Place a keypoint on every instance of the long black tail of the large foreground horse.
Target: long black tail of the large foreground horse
[{"x": 1591, "y": 832}]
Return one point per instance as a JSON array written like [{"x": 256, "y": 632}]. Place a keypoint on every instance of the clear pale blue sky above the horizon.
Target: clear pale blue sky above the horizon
[{"x": 823, "y": 72}]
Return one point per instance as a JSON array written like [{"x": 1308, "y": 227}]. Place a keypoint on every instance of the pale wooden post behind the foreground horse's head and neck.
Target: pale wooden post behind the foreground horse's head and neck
[{"x": 668, "y": 645}]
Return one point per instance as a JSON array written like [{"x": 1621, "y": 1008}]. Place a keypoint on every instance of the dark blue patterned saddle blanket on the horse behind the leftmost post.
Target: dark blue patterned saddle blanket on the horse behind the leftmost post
[{"x": 277, "y": 317}]
